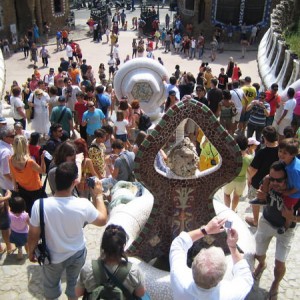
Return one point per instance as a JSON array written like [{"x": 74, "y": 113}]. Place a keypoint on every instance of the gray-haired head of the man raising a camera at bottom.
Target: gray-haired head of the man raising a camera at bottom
[{"x": 209, "y": 267}]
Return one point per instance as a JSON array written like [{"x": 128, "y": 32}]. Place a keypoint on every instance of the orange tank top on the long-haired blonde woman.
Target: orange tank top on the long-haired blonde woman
[{"x": 27, "y": 178}]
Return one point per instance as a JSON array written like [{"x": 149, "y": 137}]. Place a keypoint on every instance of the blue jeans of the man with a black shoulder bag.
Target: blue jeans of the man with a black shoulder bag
[{"x": 53, "y": 272}]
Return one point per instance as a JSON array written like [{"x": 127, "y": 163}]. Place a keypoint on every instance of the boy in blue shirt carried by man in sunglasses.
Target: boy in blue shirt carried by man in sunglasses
[{"x": 287, "y": 152}]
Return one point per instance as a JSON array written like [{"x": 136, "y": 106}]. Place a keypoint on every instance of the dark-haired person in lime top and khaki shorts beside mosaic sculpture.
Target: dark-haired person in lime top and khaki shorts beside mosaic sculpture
[{"x": 237, "y": 186}]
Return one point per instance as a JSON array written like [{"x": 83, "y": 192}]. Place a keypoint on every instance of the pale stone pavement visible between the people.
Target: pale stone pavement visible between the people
[{"x": 22, "y": 279}]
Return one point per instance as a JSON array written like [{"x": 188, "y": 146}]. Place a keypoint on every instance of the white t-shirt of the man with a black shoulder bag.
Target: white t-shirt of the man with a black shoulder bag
[{"x": 64, "y": 220}]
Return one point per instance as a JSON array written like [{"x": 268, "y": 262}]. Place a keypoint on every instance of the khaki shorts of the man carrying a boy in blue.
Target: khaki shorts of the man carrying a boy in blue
[{"x": 265, "y": 232}]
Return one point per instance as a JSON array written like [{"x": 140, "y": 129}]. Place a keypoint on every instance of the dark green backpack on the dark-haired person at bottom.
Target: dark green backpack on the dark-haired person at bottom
[{"x": 107, "y": 288}]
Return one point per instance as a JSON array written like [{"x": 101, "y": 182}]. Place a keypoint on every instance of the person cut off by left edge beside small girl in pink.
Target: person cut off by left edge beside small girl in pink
[{"x": 5, "y": 223}]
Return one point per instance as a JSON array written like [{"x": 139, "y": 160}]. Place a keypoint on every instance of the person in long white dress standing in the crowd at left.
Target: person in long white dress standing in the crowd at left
[{"x": 40, "y": 102}]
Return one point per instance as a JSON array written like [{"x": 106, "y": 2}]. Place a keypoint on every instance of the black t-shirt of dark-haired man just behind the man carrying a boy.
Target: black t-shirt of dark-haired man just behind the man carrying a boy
[{"x": 262, "y": 162}]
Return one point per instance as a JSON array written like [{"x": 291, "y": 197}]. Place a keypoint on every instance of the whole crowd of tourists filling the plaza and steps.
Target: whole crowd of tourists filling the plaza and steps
[{"x": 74, "y": 137}]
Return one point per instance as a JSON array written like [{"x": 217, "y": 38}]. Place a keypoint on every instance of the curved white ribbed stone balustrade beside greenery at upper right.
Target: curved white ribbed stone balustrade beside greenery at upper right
[{"x": 276, "y": 63}]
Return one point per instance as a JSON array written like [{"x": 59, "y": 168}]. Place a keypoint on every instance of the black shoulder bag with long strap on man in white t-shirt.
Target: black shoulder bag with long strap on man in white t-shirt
[{"x": 41, "y": 251}]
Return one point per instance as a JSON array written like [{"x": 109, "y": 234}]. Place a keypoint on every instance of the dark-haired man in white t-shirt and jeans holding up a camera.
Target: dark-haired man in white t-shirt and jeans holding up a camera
[{"x": 64, "y": 217}]
